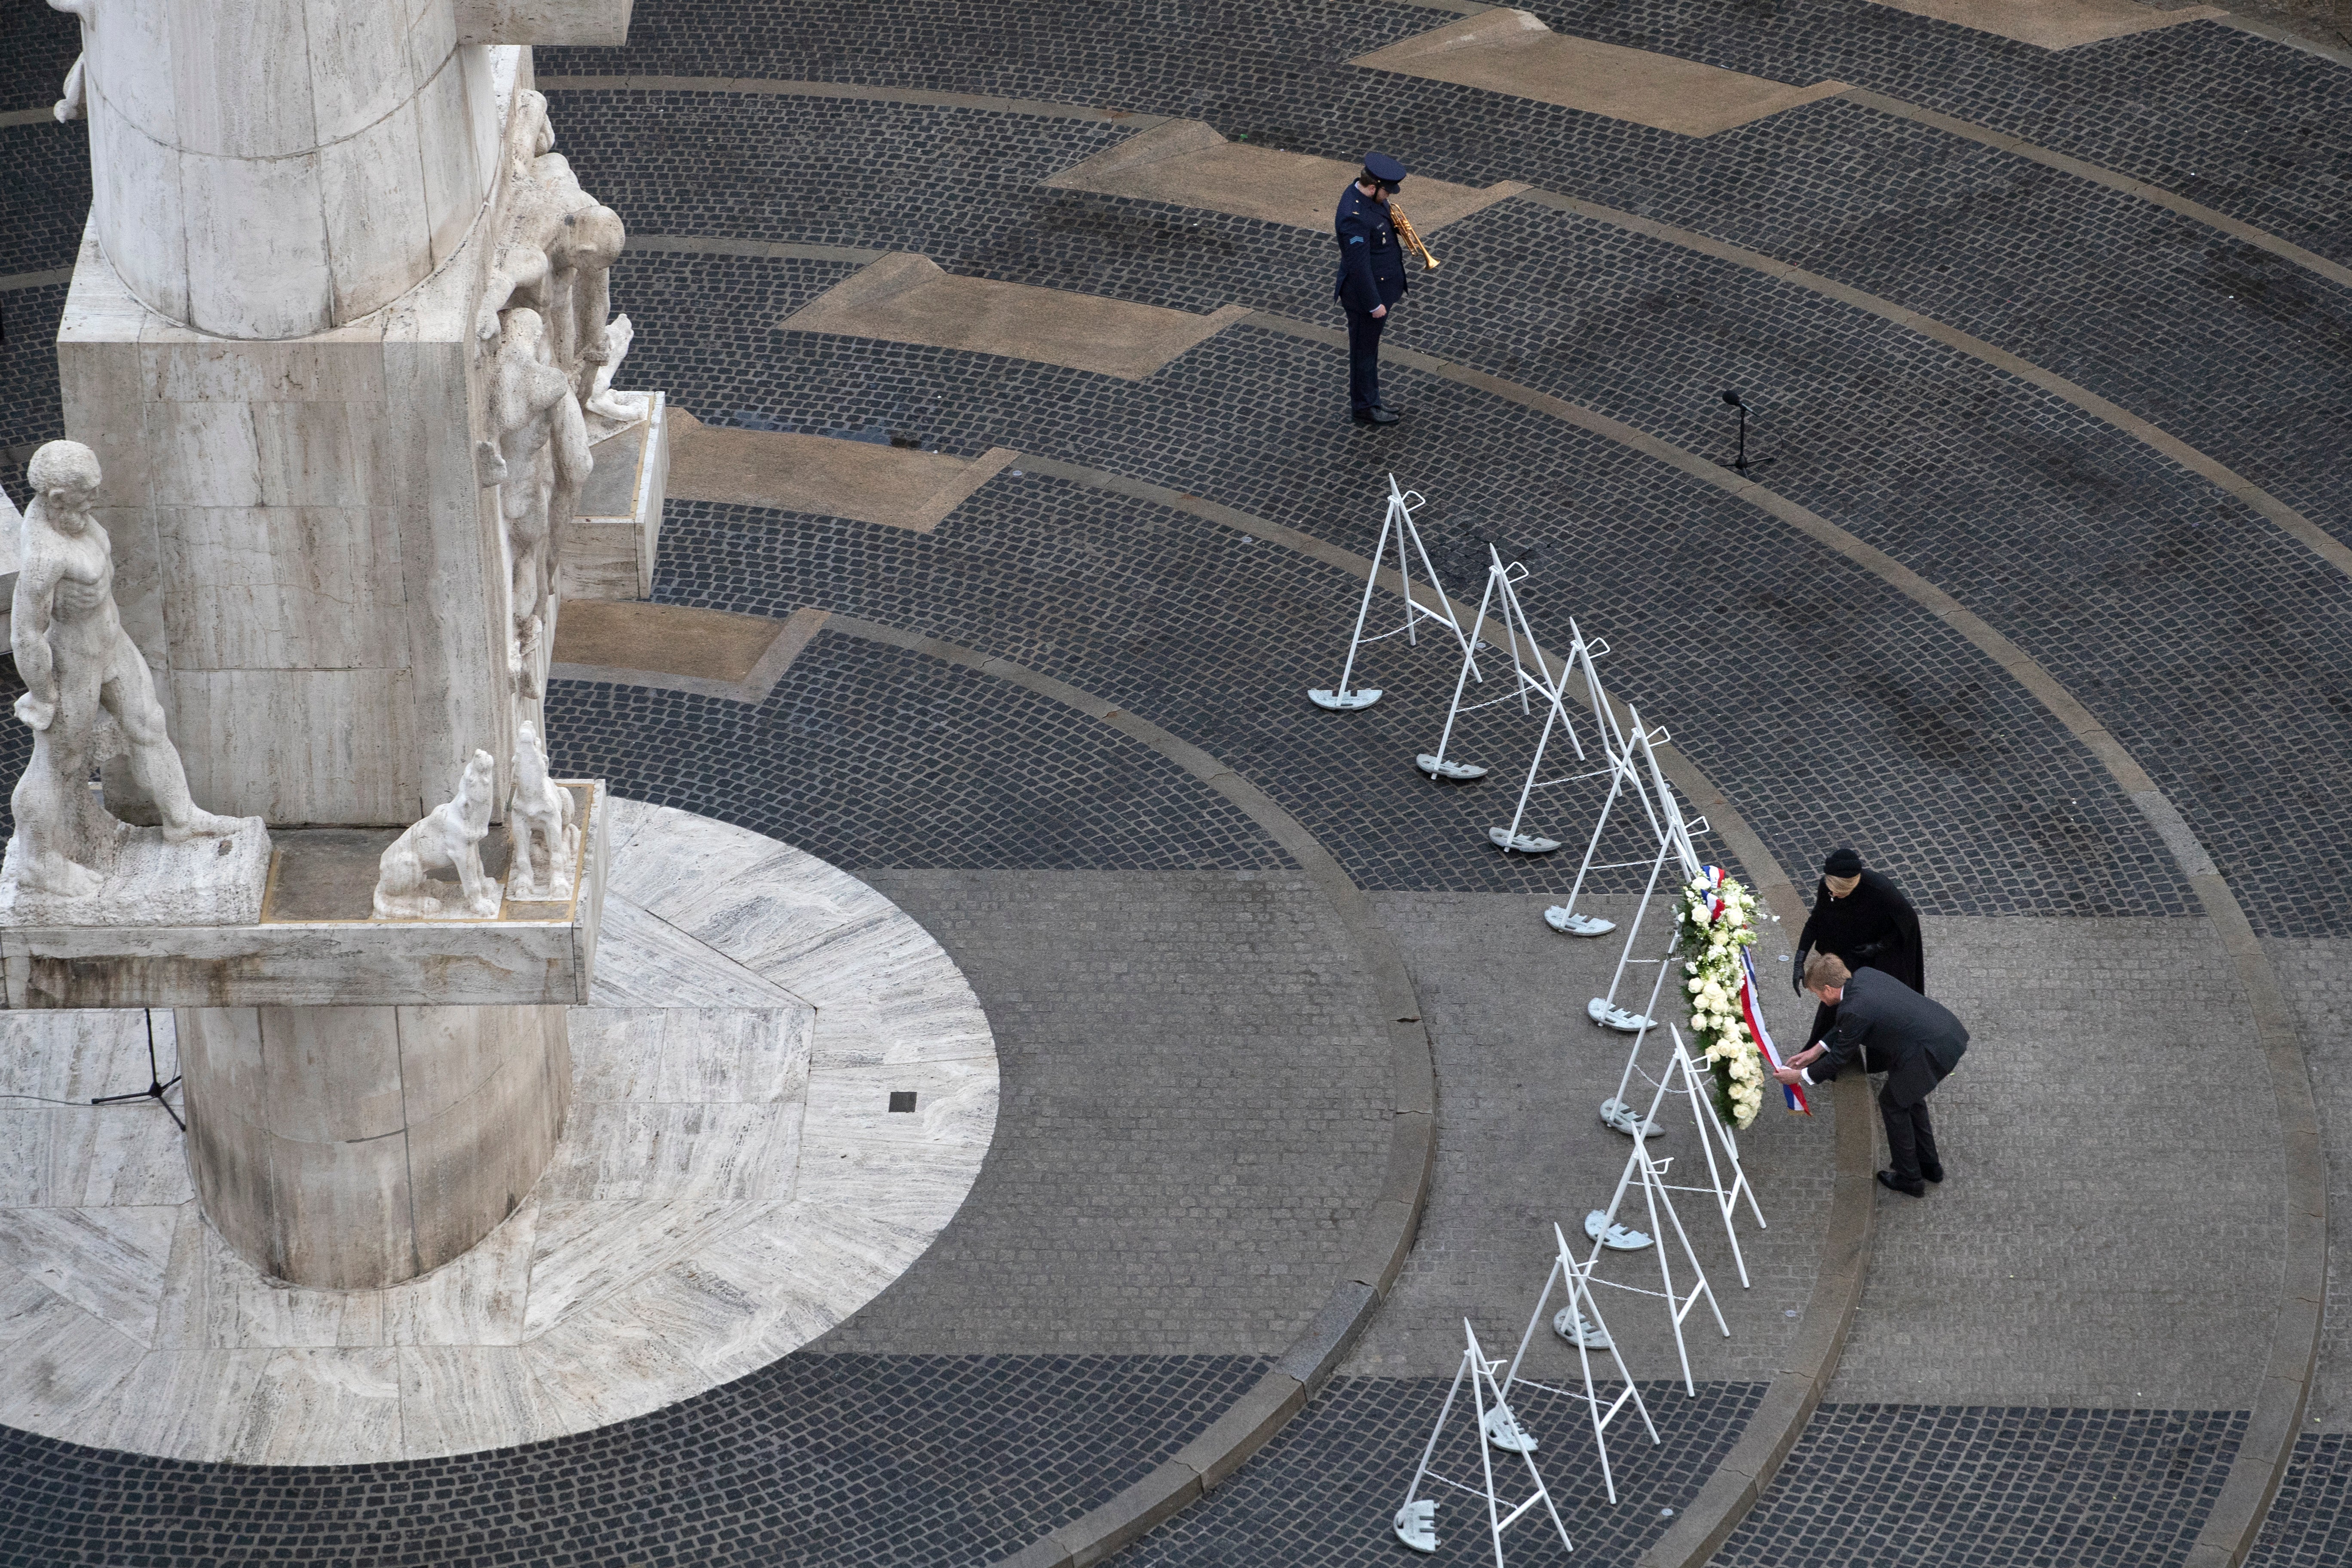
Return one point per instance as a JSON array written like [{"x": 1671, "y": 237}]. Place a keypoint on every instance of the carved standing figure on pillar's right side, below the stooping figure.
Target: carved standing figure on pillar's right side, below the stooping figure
[{"x": 537, "y": 462}]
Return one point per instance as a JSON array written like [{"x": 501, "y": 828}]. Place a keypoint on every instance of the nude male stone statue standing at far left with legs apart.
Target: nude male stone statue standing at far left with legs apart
[{"x": 79, "y": 666}]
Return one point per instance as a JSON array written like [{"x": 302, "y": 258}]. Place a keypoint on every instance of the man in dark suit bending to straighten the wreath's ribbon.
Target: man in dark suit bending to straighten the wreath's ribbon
[{"x": 1890, "y": 1028}]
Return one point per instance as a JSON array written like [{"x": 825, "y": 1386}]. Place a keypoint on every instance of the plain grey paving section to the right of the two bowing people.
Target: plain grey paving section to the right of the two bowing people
[{"x": 2109, "y": 1233}]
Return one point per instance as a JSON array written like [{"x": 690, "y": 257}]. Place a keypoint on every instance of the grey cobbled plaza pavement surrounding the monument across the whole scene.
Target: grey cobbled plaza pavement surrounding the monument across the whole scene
[{"x": 1194, "y": 1066}]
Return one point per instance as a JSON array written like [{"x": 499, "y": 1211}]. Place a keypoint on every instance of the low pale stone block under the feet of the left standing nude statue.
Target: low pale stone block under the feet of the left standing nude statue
[{"x": 149, "y": 883}]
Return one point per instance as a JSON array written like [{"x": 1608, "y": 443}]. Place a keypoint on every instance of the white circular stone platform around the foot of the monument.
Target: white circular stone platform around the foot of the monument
[{"x": 782, "y": 1097}]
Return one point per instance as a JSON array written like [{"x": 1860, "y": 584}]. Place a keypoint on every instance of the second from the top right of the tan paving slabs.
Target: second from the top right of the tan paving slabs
[{"x": 1518, "y": 55}]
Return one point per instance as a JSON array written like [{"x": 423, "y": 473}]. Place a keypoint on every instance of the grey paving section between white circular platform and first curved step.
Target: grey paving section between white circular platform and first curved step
[{"x": 1191, "y": 1118}]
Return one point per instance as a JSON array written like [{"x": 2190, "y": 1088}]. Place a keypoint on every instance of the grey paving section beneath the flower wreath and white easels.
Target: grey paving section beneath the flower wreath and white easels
[{"x": 1521, "y": 1148}]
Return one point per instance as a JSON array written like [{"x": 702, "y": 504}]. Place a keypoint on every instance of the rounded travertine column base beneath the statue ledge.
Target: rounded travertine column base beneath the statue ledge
[{"x": 361, "y": 1146}]
